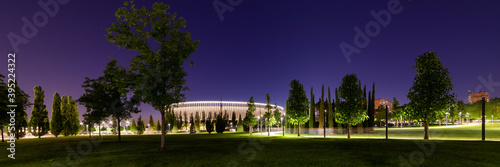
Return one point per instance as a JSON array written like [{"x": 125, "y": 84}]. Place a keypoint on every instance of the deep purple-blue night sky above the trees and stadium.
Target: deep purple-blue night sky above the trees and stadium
[{"x": 261, "y": 46}]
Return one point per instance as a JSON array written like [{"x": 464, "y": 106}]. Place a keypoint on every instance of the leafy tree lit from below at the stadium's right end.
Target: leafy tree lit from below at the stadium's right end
[{"x": 297, "y": 104}]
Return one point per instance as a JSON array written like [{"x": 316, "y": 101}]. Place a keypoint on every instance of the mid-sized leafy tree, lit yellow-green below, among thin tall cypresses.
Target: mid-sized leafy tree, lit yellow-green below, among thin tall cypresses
[{"x": 350, "y": 109}]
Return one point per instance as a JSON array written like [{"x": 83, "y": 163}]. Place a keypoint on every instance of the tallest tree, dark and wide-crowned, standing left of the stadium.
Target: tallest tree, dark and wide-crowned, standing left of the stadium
[{"x": 162, "y": 46}]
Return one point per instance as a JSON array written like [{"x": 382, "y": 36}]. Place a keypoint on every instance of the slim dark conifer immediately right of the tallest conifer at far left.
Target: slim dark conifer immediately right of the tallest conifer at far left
[{"x": 56, "y": 124}]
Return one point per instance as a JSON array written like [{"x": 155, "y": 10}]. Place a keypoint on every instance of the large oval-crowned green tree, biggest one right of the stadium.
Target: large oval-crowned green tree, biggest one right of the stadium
[{"x": 431, "y": 94}]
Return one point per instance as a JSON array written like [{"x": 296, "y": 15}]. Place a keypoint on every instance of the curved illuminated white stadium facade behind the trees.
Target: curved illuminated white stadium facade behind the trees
[{"x": 238, "y": 107}]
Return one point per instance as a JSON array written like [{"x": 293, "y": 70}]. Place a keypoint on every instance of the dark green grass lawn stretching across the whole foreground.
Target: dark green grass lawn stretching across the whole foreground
[{"x": 237, "y": 149}]
